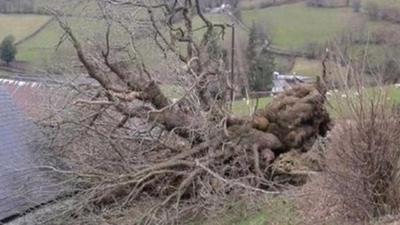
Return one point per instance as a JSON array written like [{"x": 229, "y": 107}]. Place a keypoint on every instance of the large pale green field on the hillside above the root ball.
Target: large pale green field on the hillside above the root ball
[{"x": 296, "y": 25}]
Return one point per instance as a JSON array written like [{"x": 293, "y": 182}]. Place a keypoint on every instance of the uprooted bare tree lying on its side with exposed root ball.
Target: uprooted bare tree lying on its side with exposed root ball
[{"x": 124, "y": 140}]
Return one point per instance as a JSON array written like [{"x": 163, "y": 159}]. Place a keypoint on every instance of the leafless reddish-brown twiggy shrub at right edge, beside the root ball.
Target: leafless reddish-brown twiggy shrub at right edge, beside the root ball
[{"x": 364, "y": 166}]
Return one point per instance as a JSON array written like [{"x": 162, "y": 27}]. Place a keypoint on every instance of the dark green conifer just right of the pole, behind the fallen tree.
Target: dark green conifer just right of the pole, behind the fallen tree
[{"x": 261, "y": 62}]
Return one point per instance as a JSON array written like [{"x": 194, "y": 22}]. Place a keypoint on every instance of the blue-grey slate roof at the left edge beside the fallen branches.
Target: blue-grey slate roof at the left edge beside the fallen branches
[{"x": 22, "y": 184}]
